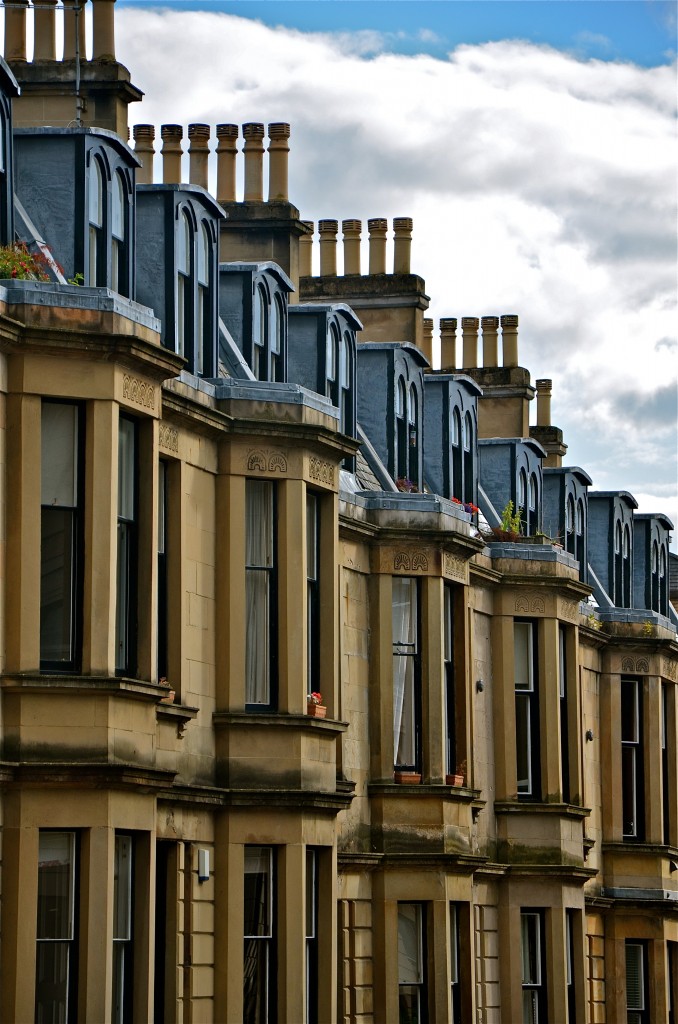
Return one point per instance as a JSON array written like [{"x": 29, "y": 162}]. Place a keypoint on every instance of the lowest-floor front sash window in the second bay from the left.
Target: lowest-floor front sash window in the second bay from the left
[{"x": 260, "y": 964}]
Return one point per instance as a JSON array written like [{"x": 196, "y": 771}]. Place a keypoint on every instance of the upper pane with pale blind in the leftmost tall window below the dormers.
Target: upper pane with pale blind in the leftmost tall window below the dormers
[{"x": 59, "y": 459}]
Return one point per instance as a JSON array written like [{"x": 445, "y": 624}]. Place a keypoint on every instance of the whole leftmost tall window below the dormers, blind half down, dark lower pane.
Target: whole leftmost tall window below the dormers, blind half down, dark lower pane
[{"x": 61, "y": 536}]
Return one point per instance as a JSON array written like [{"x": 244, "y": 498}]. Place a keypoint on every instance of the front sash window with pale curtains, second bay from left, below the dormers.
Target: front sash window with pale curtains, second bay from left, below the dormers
[{"x": 261, "y": 587}]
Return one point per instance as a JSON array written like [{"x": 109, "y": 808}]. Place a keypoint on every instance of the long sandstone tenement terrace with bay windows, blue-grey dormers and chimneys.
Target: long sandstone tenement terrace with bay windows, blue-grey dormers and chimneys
[{"x": 294, "y": 729}]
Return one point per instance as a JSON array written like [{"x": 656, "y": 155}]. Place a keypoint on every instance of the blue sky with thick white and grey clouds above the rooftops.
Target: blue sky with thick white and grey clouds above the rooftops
[{"x": 534, "y": 144}]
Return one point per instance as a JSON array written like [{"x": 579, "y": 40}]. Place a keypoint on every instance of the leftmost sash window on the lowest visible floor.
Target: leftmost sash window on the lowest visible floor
[{"x": 57, "y": 934}]
